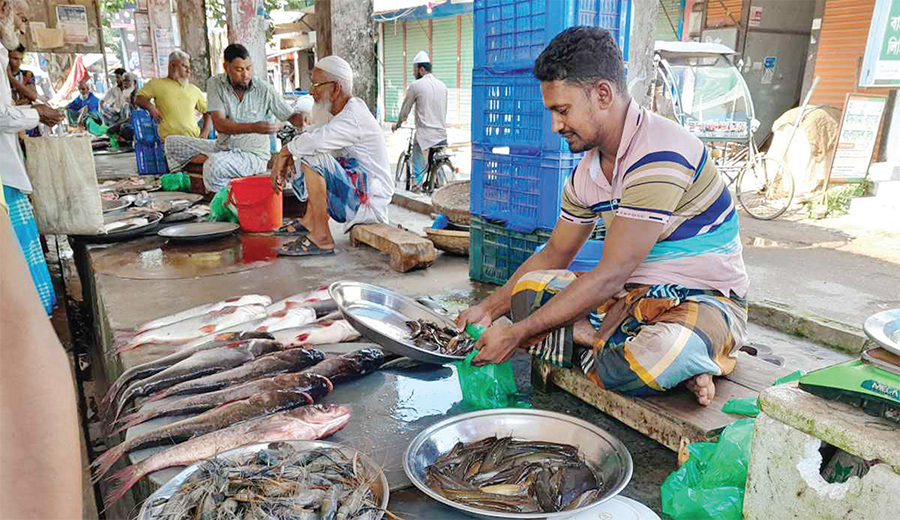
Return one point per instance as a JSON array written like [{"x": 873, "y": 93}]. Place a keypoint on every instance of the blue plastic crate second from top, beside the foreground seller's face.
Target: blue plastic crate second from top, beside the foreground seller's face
[{"x": 508, "y": 110}]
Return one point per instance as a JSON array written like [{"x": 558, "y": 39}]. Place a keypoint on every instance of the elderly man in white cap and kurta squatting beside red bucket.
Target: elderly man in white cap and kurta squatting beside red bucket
[{"x": 341, "y": 168}]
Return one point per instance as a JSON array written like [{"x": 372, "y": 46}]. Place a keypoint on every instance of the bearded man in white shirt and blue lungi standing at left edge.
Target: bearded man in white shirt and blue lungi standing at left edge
[{"x": 16, "y": 185}]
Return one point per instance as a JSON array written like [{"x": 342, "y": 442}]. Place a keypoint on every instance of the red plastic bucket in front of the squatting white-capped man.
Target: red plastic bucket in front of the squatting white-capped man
[{"x": 259, "y": 207}]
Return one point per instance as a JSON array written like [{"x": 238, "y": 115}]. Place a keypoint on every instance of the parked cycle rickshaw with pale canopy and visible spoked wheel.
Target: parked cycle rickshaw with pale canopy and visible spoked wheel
[{"x": 699, "y": 86}]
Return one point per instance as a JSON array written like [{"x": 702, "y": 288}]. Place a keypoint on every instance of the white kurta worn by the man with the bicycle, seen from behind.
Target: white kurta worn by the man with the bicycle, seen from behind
[{"x": 429, "y": 95}]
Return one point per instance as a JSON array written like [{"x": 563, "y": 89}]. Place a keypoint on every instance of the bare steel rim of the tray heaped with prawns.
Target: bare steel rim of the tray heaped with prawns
[{"x": 152, "y": 508}]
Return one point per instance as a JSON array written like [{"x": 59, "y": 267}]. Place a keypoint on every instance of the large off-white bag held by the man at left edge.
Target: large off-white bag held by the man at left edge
[{"x": 66, "y": 197}]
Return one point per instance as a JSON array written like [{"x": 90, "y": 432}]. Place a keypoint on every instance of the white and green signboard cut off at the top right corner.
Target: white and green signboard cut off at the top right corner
[{"x": 881, "y": 65}]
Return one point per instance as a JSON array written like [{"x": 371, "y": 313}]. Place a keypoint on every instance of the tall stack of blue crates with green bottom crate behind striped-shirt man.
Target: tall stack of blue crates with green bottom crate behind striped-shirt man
[{"x": 519, "y": 164}]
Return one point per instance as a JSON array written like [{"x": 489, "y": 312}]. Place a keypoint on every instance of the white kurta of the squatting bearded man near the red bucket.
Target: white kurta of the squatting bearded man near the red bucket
[{"x": 354, "y": 133}]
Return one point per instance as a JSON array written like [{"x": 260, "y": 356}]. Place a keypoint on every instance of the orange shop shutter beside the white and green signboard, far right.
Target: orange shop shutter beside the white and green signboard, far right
[{"x": 842, "y": 44}]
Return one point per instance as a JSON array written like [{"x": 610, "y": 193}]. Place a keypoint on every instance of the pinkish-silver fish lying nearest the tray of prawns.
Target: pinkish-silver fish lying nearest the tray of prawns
[{"x": 305, "y": 423}]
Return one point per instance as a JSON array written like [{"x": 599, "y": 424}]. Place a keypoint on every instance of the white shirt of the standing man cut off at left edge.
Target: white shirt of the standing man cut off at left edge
[{"x": 13, "y": 119}]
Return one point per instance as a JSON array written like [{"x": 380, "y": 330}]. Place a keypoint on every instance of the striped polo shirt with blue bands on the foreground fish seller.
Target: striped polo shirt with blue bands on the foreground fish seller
[{"x": 663, "y": 173}]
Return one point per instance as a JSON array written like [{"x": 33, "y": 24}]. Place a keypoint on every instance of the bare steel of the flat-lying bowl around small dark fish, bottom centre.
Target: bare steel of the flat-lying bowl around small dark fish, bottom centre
[{"x": 605, "y": 454}]
